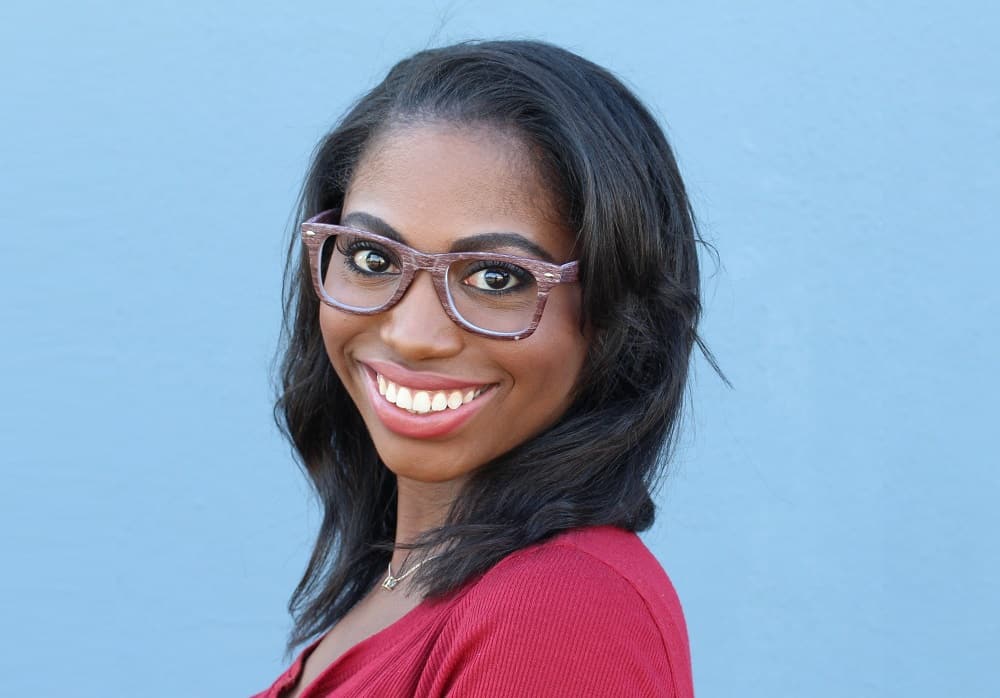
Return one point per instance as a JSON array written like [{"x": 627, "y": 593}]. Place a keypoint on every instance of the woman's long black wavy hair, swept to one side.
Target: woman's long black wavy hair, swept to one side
[{"x": 616, "y": 184}]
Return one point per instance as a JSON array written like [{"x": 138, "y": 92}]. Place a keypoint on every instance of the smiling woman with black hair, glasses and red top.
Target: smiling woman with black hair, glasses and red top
[{"x": 491, "y": 319}]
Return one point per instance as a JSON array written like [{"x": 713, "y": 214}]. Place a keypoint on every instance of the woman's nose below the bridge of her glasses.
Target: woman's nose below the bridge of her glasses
[{"x": 418, "y": 327}]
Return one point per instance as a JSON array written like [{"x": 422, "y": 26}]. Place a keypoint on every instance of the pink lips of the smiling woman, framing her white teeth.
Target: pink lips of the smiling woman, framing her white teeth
[{"x": 420, "y": 426}]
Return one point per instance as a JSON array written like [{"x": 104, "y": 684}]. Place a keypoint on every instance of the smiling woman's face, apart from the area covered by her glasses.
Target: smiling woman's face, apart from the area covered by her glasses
[{"x": 444, "y": 188}]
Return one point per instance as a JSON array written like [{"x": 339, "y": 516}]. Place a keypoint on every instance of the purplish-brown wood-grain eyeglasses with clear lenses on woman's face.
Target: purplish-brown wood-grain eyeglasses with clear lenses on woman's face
[{"x": 490, "y": 294}]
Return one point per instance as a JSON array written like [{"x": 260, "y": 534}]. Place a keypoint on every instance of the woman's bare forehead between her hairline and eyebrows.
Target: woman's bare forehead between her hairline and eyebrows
[{"x": 438, "y": 182}]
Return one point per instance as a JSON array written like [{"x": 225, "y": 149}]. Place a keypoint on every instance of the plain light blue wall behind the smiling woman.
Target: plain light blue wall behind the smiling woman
[{"x": 830, "y": 523}]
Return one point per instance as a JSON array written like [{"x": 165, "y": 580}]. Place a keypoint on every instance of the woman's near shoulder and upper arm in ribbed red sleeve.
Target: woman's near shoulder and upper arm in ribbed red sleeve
[{"x": 589, "y": 612}]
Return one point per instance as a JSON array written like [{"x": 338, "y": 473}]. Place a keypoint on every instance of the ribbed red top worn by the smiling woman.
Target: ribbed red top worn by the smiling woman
[{"x": 587, "y": 613}]
